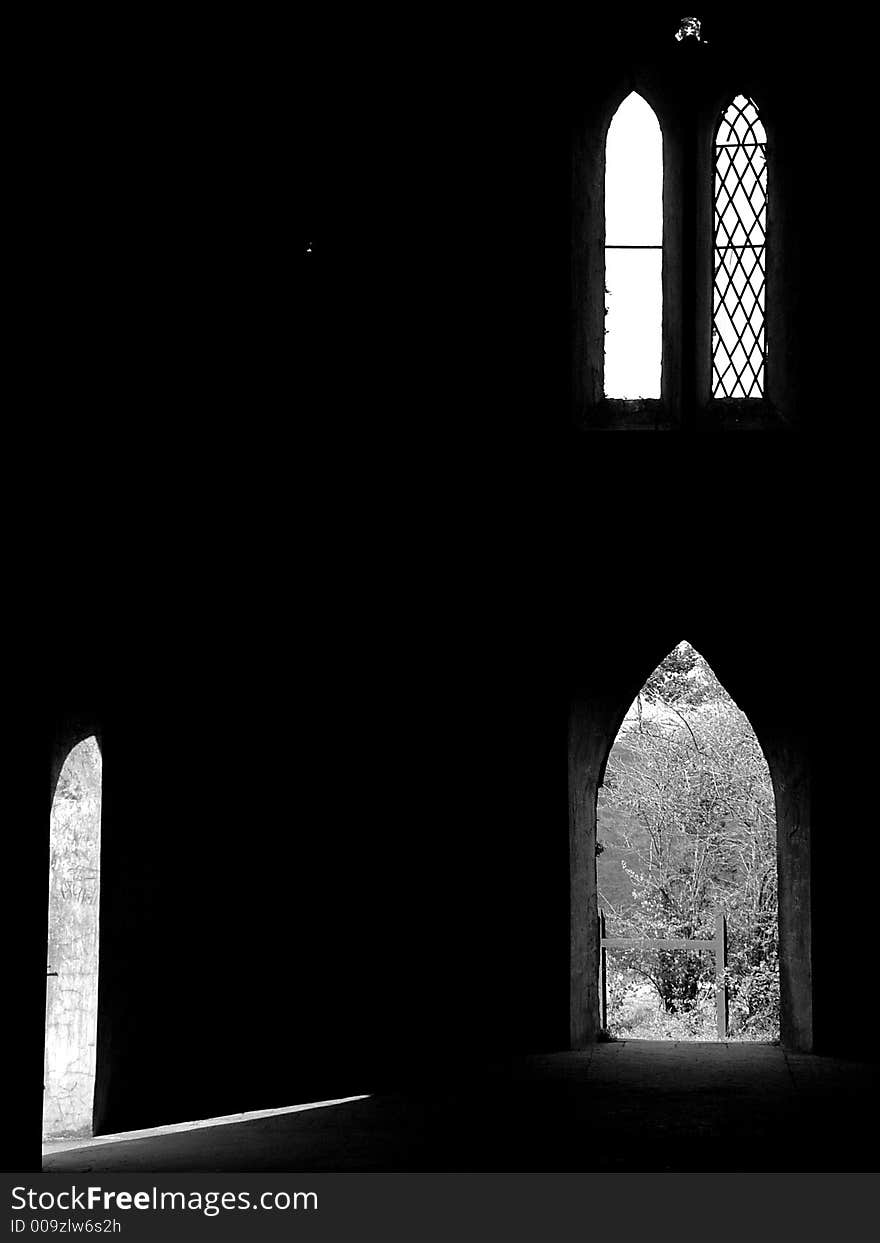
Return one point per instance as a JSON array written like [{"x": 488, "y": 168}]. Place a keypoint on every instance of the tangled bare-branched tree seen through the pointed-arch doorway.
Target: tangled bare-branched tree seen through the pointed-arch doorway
[{"x": 698, "y": 822}]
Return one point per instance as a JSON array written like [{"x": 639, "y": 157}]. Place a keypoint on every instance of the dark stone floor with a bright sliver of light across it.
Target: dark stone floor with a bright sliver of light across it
[{"x": 623, "y": 1107}]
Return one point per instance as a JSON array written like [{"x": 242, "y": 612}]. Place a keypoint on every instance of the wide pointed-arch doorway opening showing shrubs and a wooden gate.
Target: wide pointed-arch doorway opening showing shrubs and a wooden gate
[{"x": 687, "y": 845}]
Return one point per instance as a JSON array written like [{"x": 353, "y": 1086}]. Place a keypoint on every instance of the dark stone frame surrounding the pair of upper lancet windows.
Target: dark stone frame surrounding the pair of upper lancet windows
[{"x": 687, "y": 402}]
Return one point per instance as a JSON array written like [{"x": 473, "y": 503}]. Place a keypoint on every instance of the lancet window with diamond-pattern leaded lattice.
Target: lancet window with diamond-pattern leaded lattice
[{"x": 739, "y": 347}]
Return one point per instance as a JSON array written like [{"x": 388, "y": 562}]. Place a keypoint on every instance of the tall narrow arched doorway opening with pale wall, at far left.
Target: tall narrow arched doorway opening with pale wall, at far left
[{"x": 73, "y": 956}]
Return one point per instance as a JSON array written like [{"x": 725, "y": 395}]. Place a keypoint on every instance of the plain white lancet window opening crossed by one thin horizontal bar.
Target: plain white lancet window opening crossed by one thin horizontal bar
[{"x": 633, "y": 254}]
